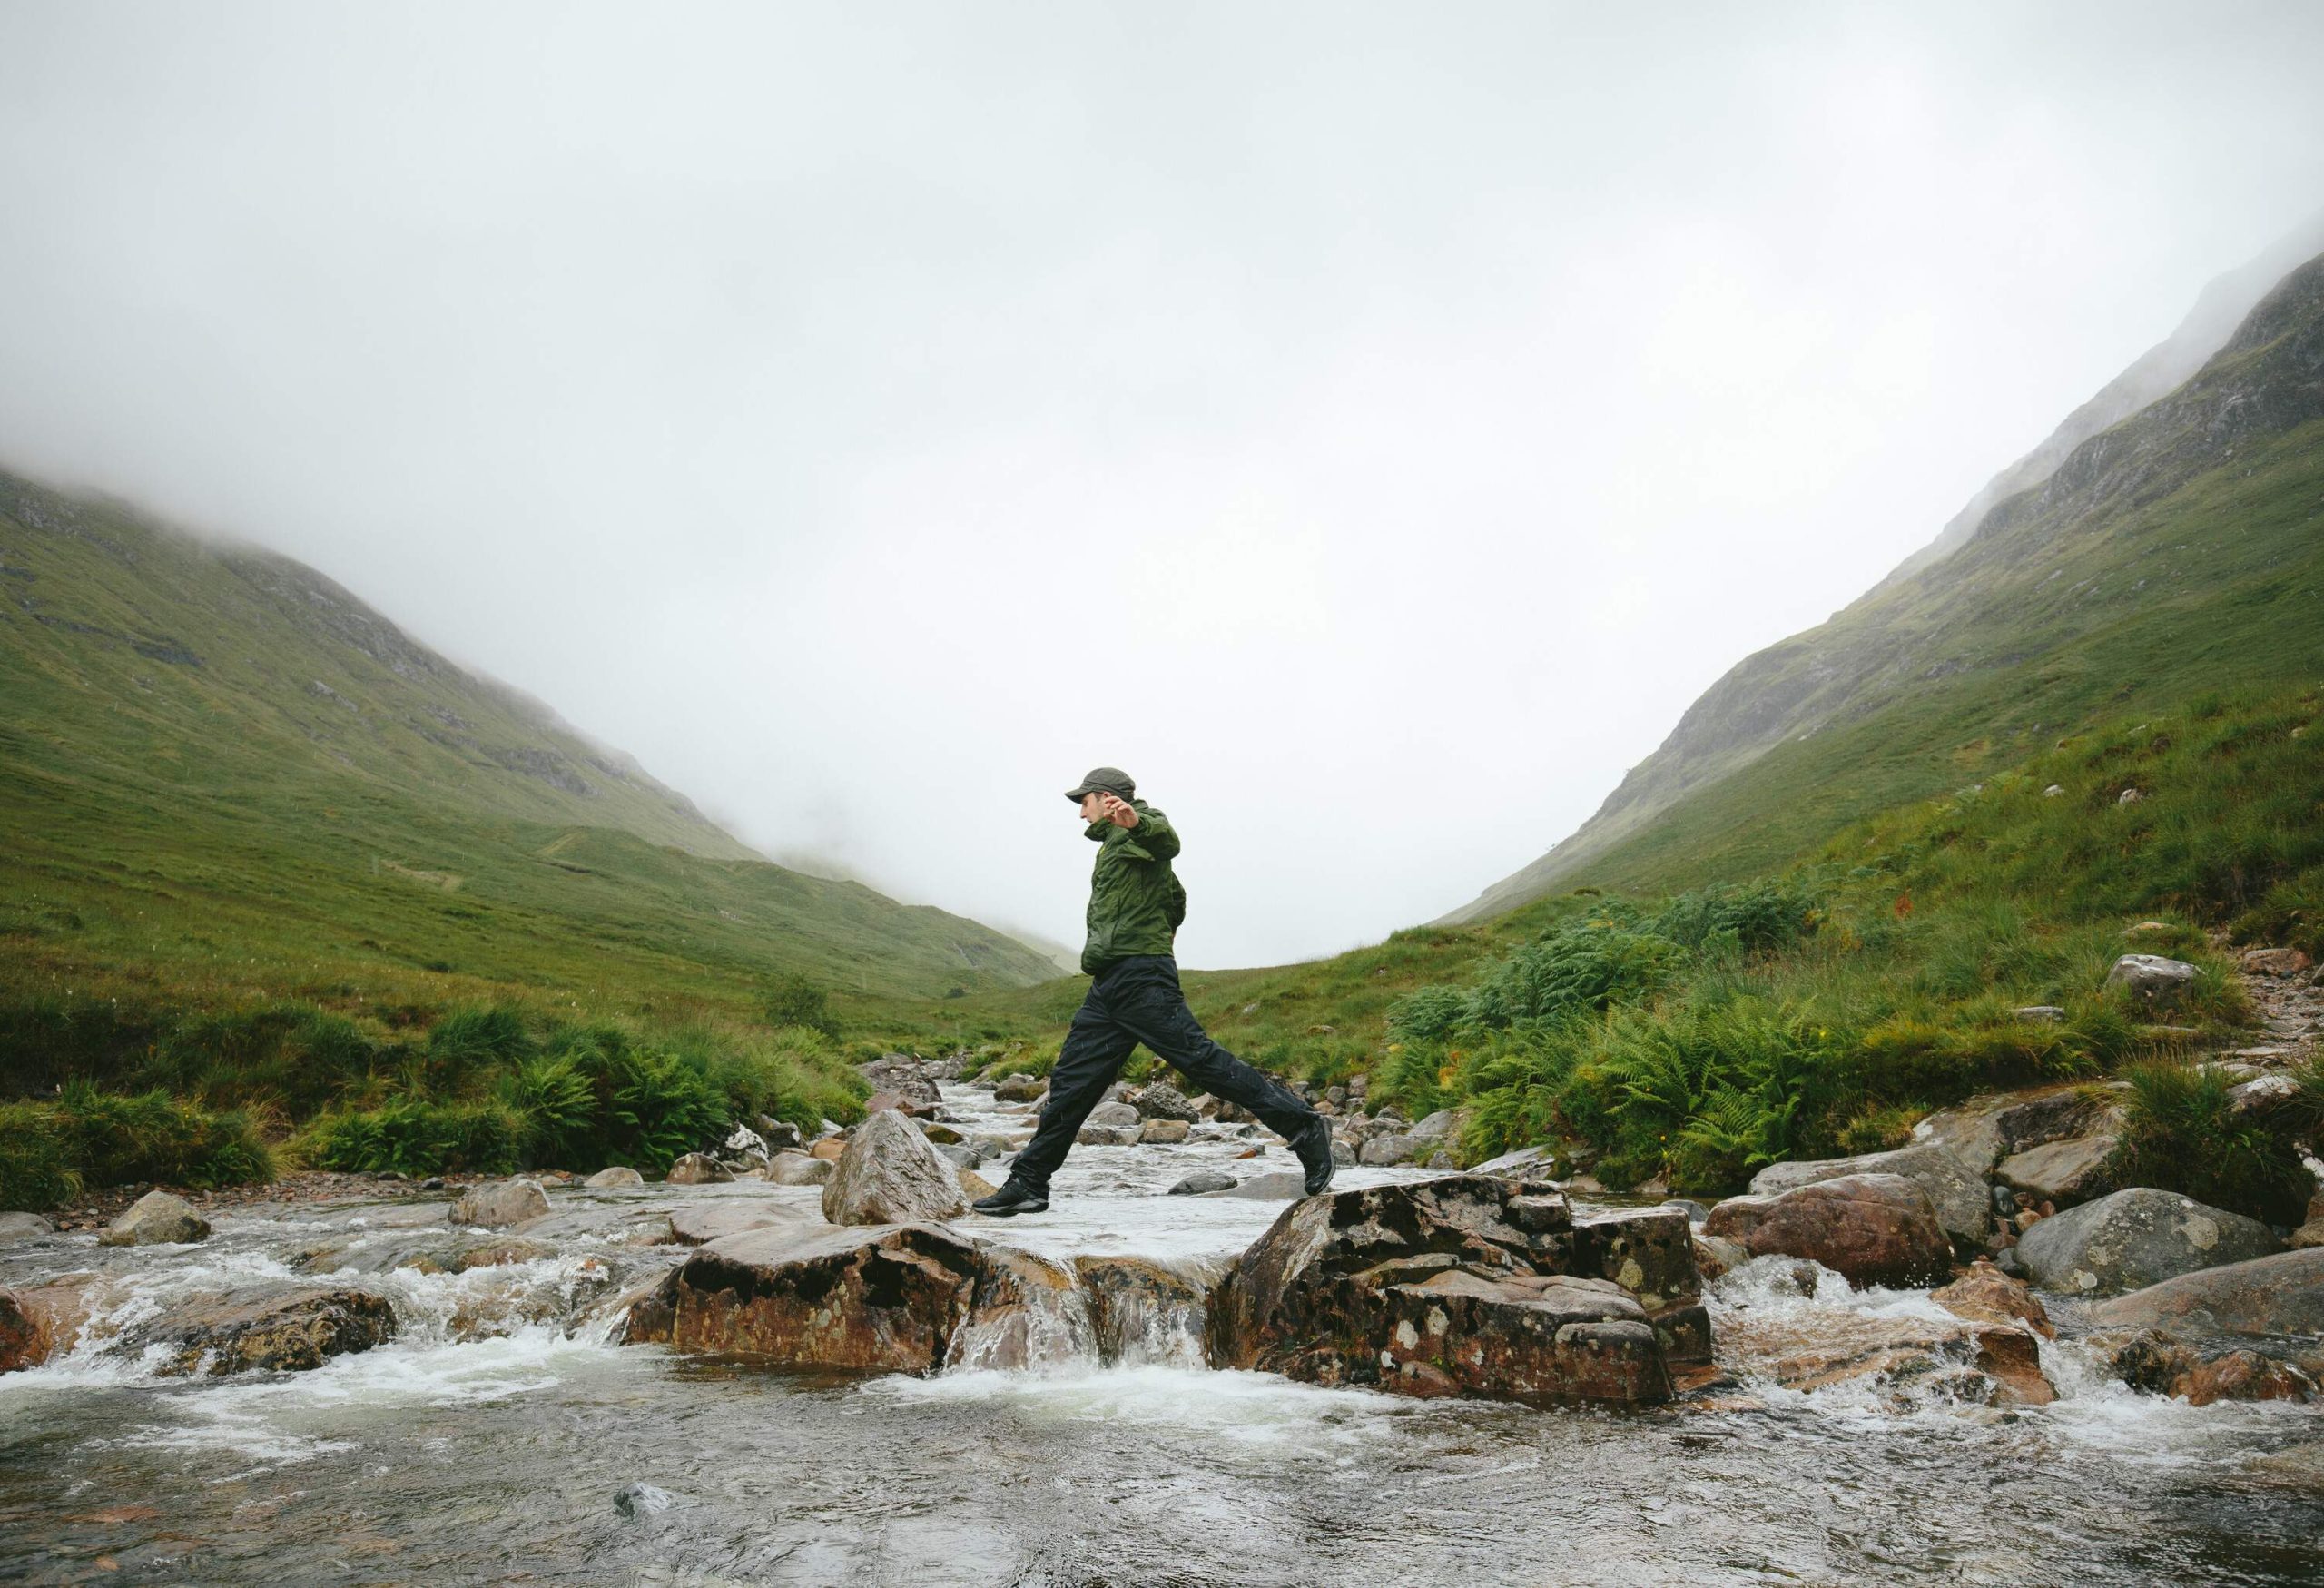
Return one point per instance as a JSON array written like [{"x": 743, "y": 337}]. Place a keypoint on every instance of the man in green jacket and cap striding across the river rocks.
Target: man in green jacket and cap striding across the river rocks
[{"x": 1135, "y": 913}]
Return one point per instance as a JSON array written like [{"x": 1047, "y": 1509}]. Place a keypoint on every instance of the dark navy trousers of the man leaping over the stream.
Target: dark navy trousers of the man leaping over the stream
[{"x": 1138, "y": 1001}]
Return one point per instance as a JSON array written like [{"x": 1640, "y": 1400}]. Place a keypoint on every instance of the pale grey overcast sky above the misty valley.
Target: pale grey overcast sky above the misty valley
[{"x": 1372, "y": 427}]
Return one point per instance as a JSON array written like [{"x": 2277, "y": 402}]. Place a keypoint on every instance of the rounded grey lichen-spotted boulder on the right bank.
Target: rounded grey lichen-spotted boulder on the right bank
[{"x": 2137, "y": 1238}]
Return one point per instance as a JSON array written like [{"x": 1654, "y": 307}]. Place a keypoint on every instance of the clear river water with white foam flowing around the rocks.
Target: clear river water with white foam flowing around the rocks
[{"x": 503, "y": 1440}]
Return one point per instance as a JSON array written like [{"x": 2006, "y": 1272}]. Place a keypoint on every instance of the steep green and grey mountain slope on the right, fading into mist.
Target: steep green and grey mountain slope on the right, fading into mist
[{"x": 2162, "y": 557}]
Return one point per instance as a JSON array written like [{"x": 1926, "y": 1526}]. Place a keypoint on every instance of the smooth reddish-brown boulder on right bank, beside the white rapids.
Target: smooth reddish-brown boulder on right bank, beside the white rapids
[{"x": 1874, "y": 1229}]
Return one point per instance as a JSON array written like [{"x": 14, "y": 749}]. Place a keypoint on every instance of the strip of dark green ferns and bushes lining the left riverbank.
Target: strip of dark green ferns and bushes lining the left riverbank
[{"x": 480, "y": 1092}]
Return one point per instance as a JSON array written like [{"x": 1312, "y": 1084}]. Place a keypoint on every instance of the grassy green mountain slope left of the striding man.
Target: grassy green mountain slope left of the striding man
[{"x": 224, "y": 778}]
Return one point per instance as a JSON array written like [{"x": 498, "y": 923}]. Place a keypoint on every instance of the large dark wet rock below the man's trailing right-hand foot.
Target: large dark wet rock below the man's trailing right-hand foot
[{"x": 1454, "y": 1287}]
